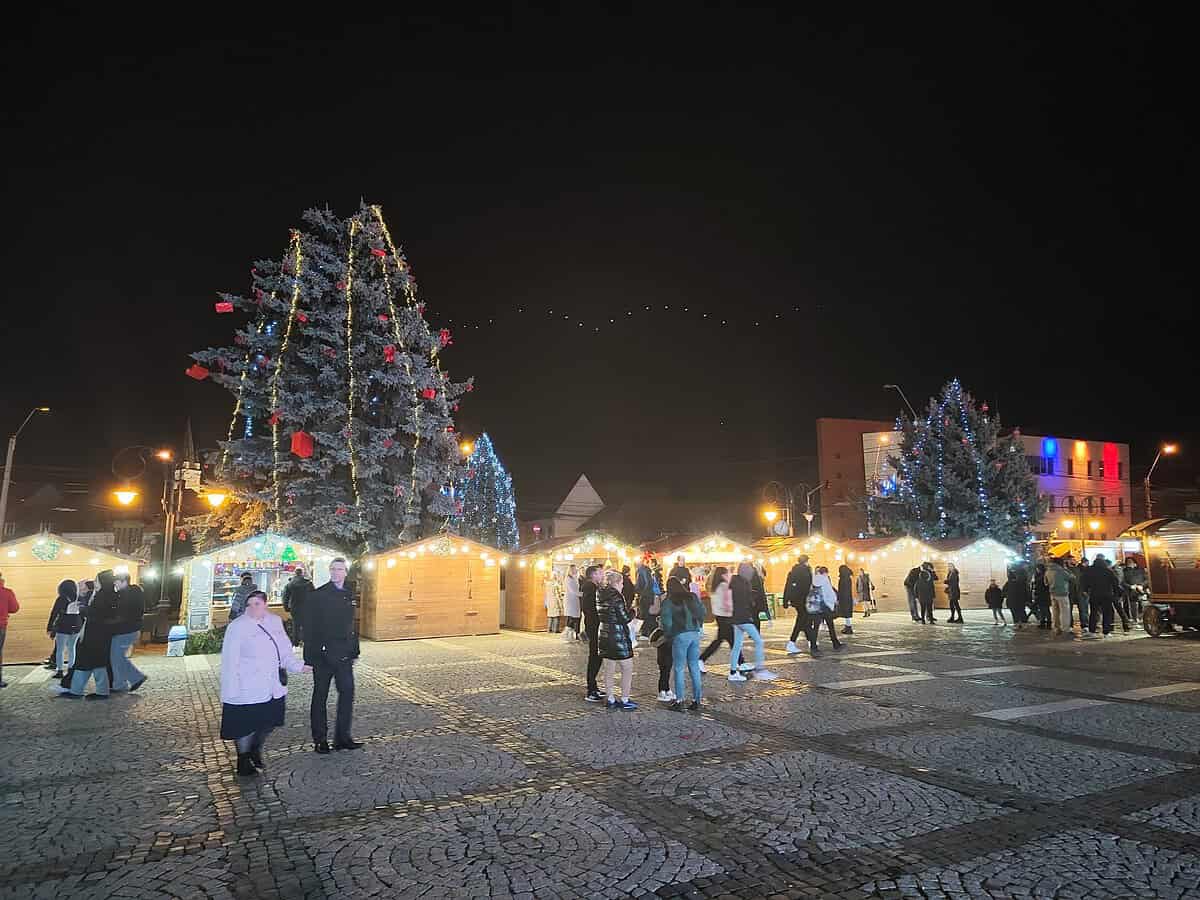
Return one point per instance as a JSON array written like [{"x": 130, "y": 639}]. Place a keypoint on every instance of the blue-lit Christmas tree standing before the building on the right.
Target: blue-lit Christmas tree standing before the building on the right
[{"x": 958, "y": 477}]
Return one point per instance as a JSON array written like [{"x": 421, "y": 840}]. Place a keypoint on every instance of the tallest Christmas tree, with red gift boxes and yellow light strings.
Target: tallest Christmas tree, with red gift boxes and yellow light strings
[{"x": 343, "y": 428}]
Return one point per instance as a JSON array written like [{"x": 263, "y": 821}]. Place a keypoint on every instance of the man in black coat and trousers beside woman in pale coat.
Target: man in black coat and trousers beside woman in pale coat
[{"x": 332, "y": 647}]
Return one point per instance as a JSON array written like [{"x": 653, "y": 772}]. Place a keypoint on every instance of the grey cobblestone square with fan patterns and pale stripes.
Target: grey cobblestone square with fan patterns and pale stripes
[{"x": 921, "y": 761}]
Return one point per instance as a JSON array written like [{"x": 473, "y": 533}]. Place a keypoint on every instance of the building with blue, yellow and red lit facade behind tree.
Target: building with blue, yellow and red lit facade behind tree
[{"x": 1087, "y": 482}]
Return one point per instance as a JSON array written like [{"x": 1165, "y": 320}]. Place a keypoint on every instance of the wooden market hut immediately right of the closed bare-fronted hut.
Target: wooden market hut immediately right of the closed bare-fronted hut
[{"x": 542, "y": 567}]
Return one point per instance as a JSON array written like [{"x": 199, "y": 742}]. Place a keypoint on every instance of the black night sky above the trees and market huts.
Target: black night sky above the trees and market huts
[{"x": 1009, "y": 202}]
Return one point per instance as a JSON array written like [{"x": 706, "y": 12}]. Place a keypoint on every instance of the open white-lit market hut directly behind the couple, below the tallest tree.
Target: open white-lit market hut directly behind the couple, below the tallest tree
[{"x": 211, "y": 579}]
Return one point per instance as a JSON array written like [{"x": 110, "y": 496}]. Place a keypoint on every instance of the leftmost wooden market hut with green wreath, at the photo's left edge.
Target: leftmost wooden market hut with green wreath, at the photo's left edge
[{"x": 33, "y": 568}]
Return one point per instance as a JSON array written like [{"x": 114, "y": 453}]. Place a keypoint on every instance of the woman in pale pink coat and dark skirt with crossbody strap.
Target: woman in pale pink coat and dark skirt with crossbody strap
[{"x": 255, "y": 662}]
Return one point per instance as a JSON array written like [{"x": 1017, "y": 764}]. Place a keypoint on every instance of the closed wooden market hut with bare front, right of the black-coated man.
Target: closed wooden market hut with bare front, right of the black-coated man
[{"x": 437, "y": 587}]
